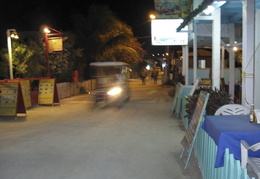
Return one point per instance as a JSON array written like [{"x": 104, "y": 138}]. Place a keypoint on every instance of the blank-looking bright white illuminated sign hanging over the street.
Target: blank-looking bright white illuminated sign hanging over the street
[{"x": 163, "y": 32}]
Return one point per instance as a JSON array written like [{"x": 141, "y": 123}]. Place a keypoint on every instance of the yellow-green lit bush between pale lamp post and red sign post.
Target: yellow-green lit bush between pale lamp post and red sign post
[{"x": 28, "y": 57}]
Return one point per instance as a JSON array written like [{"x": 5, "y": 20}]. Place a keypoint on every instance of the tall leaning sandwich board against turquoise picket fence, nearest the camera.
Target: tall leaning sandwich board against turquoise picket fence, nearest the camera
[{"x": 191, "y": 133}]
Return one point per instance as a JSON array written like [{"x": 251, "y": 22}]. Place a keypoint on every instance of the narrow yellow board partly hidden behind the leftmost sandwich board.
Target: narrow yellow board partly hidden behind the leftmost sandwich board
[{"x": 26, "y": 91}]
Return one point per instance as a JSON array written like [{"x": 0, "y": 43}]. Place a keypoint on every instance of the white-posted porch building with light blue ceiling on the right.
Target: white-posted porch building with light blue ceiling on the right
[{"x": 220, "y": 27}]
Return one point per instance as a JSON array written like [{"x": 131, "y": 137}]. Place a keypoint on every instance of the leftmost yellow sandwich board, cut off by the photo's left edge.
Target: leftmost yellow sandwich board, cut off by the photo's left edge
[{"x": 11, "y": 99}]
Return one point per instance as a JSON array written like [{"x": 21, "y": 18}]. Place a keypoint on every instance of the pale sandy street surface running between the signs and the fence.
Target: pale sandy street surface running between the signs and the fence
[{"x": 71, "y": 141}]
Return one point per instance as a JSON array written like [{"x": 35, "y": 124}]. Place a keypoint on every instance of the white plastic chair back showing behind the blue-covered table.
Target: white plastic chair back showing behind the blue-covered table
[{"x": 232, "y": 109}]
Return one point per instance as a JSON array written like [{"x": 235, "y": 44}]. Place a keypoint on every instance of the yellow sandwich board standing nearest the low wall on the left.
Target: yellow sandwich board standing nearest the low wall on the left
[{"x": 48, "y": 93}]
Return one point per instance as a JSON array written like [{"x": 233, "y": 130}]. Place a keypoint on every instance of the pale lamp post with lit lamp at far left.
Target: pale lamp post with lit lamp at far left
[{"x": 11, "y": 33}]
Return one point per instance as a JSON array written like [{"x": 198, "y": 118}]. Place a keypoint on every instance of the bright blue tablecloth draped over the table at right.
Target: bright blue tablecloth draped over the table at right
[{"x": 228, "y": 131}]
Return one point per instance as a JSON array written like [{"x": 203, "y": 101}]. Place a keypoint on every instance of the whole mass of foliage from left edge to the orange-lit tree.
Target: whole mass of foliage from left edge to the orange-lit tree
[{"x": 100, "y": 36}]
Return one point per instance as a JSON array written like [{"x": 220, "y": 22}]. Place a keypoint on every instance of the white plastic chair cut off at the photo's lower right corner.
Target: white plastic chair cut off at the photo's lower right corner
[{"x": 253, "y": 162}]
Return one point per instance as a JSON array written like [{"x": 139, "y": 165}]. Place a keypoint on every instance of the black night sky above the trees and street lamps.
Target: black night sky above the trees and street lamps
[{"x": 29, "y": 15}]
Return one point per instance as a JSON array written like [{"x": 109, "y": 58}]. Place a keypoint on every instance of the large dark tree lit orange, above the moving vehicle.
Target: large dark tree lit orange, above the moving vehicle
[{"x": 107, "y": 38}]
